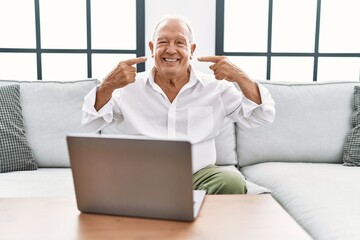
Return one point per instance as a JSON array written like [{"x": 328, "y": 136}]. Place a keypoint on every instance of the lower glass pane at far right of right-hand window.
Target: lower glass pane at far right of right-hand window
[{"x": 338, "y": 69}]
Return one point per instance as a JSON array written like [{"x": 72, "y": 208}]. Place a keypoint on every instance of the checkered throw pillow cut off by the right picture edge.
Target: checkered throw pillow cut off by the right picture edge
[{"x": 352, "y": 142}]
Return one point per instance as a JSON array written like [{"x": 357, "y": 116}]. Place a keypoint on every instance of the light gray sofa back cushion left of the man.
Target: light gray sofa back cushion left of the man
[{"x": 51, "y": 110}]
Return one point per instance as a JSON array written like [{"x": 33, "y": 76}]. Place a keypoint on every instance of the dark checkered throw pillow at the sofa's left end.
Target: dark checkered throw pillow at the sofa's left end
[{"x": 15, "y": 152}]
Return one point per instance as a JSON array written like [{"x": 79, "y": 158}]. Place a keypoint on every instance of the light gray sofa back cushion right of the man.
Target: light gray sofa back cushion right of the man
[{"x": 311, "y": 124}]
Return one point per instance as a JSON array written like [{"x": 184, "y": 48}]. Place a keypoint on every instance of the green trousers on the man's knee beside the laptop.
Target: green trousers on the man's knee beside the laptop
[{"x": 215, "y": 180}]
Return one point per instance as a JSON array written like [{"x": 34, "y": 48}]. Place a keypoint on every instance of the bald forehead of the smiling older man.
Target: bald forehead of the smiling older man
[{"x": 172, "y": 27}]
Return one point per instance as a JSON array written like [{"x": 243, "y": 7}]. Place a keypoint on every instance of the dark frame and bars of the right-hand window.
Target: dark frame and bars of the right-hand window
[{"x": 219, "y": 41}]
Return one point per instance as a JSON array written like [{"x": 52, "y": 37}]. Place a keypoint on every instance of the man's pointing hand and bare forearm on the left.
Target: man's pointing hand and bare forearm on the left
[{"x": 123, "y": 74}]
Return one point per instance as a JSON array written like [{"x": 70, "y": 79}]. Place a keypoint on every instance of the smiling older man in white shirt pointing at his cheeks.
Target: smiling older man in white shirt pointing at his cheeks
[{"x": 175, "y": 101}]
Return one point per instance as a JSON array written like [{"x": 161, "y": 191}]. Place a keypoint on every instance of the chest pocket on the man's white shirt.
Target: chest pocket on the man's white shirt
[{"x": 200, "y": 121}]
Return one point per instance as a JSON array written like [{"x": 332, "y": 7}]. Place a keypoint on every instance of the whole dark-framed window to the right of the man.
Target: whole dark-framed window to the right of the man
[{"x": 298, "y": 40}]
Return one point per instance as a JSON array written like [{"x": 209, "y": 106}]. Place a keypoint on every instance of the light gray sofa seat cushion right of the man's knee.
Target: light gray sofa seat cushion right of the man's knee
[{"x": 323, "y": 198}]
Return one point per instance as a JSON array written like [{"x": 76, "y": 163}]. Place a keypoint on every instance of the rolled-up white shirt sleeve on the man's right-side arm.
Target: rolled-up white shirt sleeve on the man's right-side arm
[{"x": 251, "y": 114}]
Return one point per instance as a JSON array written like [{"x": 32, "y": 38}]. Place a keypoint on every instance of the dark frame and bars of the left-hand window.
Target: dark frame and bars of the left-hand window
[{"x": 38, "y": 50}]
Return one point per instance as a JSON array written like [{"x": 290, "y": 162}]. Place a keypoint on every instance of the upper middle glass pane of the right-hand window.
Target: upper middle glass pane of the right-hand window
[{"x": 292, "y": 31}]
